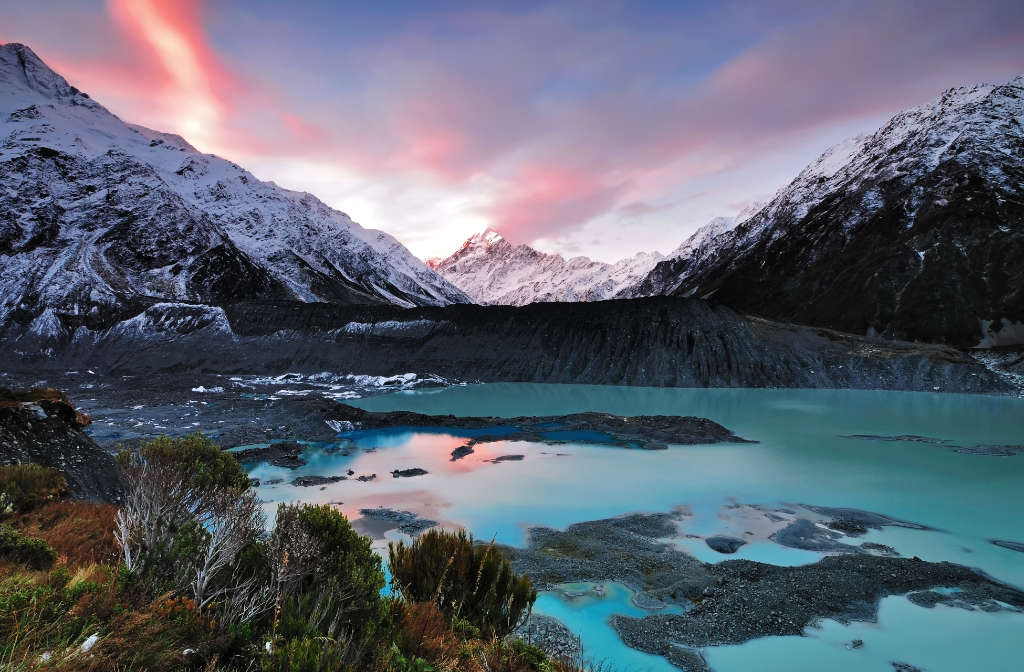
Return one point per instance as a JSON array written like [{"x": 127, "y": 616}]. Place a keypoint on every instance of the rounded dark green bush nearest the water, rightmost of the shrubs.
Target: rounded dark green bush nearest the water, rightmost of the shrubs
[{"x": 466, "y": 580}]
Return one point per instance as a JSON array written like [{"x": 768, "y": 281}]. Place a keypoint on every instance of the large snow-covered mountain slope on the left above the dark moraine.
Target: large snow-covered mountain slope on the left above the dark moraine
[{"x": 96, "y": 213}]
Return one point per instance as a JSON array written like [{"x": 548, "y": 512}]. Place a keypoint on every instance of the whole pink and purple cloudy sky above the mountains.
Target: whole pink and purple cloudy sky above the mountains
[{"x": 603, "y": 129}]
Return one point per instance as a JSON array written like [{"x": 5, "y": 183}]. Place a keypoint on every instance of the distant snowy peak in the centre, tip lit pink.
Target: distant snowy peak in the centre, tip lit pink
[{"x": 492, "y": 271}]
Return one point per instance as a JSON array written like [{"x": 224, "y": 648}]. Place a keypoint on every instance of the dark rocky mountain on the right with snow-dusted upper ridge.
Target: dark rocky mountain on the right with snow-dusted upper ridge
[{"x": 915, "y": 232}]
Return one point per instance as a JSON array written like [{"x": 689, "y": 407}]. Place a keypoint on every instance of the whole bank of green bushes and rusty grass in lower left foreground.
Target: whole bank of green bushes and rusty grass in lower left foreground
[{"x": 184, "y": 575}]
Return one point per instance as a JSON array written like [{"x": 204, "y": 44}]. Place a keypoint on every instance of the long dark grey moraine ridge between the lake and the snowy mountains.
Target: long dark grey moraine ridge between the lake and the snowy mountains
[{"x": 662, "y": 342}]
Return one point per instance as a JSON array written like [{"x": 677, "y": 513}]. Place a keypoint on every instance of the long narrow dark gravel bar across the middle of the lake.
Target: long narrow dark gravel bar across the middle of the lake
[{"x": 648, "y": 432}]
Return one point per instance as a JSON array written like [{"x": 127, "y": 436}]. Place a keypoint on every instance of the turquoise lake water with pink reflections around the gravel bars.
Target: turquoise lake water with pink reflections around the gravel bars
[{"x": 803, "y": 457}]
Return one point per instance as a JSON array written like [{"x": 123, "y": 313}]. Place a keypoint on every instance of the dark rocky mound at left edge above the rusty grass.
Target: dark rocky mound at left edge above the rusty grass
[{"x": 42, "y": 427}]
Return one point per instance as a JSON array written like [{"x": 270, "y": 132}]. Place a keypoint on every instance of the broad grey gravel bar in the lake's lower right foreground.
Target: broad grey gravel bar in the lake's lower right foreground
[{"x": 735, "y": 602}]
